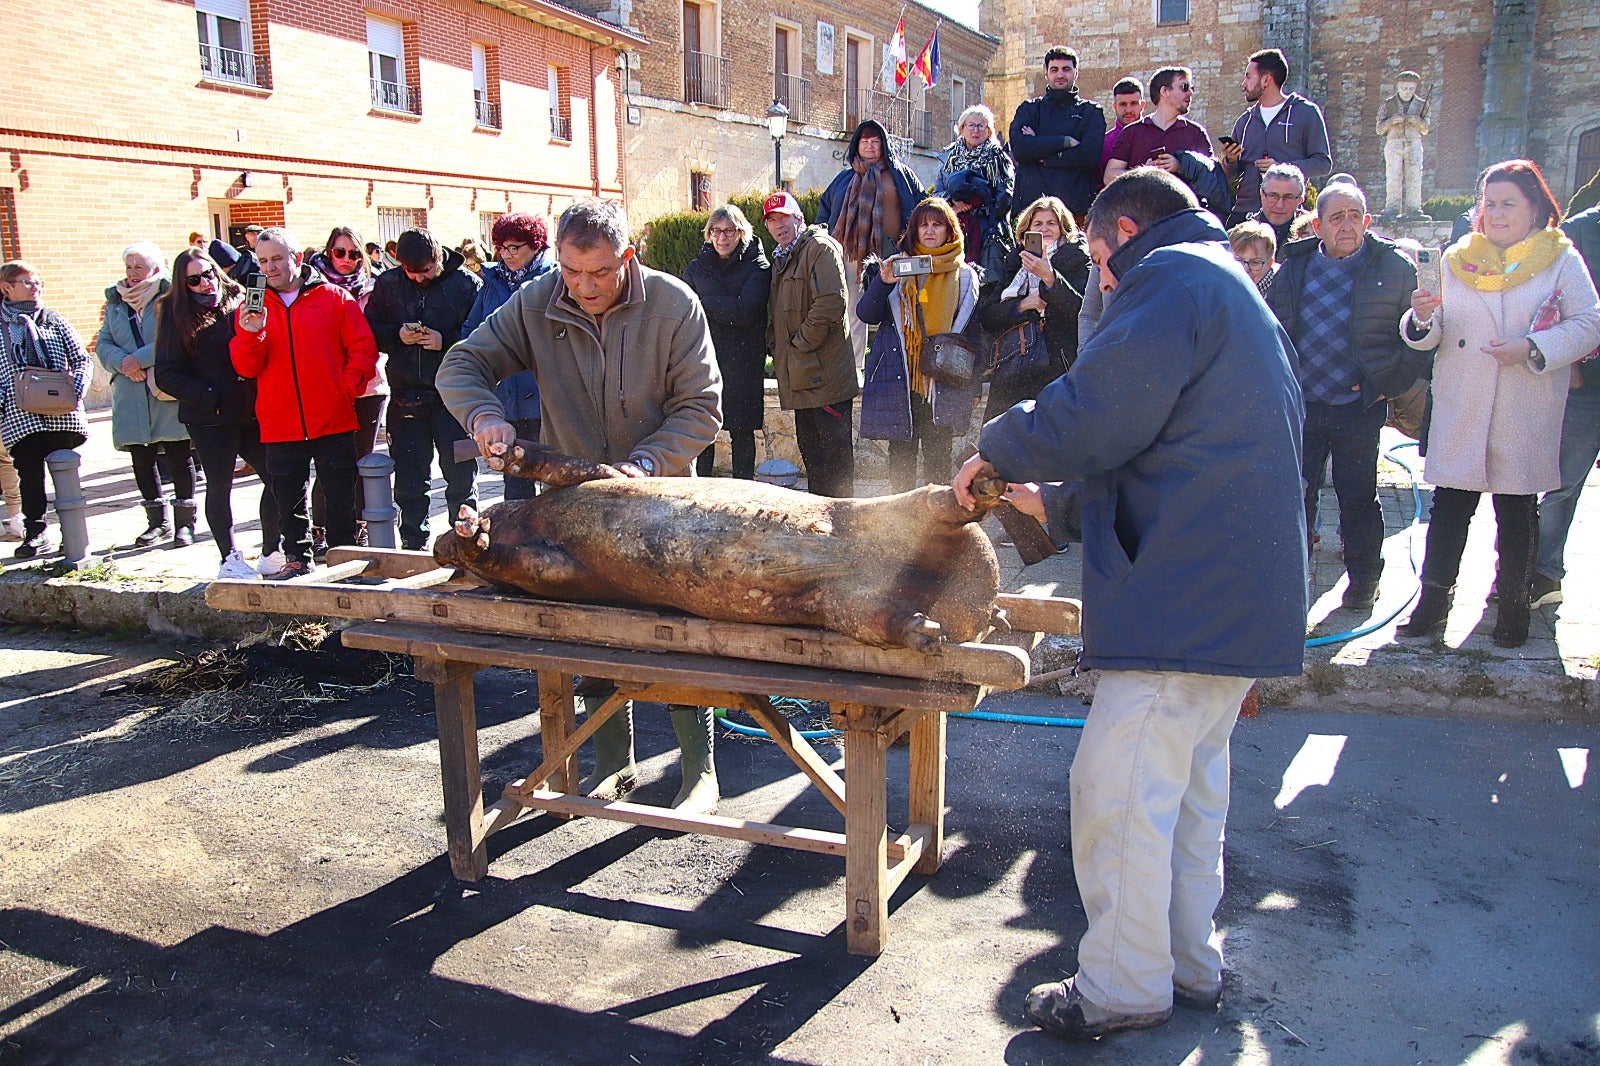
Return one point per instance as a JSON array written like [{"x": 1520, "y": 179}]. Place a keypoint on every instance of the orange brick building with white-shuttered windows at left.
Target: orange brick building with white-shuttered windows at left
[{"x": 214, "y": 114}]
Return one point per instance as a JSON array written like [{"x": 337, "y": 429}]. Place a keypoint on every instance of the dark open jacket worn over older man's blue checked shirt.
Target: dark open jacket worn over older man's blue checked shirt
[{"x": 1383, "y": 295}]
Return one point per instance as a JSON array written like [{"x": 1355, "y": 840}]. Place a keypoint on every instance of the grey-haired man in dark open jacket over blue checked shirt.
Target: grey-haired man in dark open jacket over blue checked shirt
[{"x": 1342, "y": 299}]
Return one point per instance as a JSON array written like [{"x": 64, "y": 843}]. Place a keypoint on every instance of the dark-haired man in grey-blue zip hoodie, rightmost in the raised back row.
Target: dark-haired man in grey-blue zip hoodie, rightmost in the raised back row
[{"x": 1276, "y": 129}]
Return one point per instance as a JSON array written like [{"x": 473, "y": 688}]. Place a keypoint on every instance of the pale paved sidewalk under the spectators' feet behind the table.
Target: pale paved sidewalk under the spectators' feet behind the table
[{"x": 1551, "y": 676}]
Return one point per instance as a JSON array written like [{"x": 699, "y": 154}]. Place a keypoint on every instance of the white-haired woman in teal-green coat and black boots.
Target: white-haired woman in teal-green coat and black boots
[{"x": 143, "y": 417}]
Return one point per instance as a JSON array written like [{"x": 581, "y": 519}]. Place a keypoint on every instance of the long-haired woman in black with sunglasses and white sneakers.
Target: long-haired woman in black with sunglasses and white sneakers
[{"x": 194, "y": 326}]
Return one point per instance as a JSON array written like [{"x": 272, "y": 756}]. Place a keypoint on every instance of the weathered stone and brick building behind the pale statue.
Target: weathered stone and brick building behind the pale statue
[{"x": 1482, "y": 60}]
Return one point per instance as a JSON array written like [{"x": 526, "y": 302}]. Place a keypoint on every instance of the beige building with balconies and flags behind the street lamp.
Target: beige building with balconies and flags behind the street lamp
[{"x": 698, "y": 97}]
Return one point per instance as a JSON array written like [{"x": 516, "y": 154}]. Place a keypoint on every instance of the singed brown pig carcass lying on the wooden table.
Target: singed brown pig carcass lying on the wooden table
[{"x": 905, "y": 571}]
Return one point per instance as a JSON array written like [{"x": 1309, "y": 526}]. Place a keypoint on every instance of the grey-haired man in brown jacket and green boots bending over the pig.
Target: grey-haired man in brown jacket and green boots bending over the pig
[{"x": 626, "y": 375}]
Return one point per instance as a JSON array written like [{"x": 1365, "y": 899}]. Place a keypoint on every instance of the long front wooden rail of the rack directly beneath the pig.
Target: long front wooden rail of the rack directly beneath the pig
[{"x": 489, "y": 611}]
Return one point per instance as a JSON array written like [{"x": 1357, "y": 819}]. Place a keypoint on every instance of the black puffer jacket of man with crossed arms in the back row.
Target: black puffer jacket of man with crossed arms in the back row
[{"x": 1044, "y": 162}]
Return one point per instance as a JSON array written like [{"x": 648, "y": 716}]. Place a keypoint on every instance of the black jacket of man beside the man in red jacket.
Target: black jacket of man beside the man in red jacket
[{"x": 442, "y": 305}]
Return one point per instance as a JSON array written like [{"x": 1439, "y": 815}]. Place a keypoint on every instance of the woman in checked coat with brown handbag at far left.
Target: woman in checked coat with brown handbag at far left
[{"x": 33, "y": 335}]
